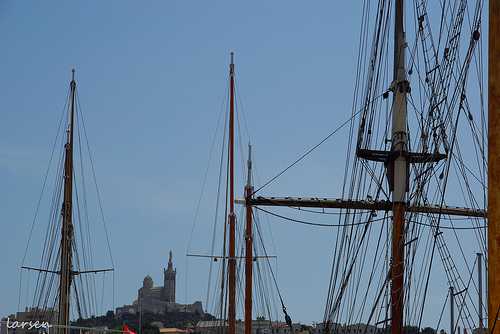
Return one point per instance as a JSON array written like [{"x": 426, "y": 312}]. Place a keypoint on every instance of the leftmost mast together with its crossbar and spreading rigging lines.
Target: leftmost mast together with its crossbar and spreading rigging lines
[{"x": 64, "y": 258}]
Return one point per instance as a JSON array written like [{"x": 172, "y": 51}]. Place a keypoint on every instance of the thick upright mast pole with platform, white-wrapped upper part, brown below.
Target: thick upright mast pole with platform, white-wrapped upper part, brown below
[{"x": 400, "y": 171}]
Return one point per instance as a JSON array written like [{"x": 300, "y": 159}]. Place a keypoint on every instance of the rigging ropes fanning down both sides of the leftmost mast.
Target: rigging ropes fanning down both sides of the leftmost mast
[{"x": 45, "y": 294}]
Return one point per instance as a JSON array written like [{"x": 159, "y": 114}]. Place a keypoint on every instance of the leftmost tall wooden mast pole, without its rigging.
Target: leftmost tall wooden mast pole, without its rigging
[{"x": 67, "y": 224}]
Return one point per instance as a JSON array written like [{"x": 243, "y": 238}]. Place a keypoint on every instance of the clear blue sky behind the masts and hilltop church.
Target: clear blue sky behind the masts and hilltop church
[{"x": 151, "y": 78}]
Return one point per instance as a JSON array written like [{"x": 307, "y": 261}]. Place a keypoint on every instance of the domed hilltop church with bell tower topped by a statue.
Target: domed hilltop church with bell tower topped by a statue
[{"x": 159, "y": 299}]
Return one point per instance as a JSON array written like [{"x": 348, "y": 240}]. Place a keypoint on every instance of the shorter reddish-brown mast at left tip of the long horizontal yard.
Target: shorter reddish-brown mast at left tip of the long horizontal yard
[{"x": 248, "y": 254}]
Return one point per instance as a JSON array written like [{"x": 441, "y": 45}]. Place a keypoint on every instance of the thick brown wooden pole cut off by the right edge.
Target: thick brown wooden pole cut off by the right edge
[{"x": 494, "y": 168}]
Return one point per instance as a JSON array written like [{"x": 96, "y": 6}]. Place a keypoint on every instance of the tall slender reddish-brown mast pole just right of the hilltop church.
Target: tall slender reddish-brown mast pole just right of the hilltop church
[{"x": 232, "y": 217}]
